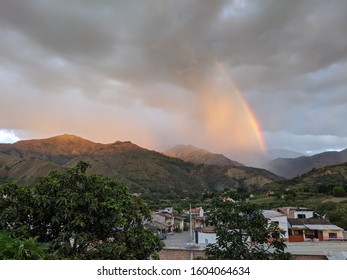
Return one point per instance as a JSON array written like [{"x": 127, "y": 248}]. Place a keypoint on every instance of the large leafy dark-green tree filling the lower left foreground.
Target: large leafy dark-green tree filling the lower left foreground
[{"x": 79, "y": 216}]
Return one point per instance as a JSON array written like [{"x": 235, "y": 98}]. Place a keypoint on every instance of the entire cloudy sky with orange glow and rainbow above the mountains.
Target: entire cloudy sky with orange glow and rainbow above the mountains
[{"x": 238, "y": 77}]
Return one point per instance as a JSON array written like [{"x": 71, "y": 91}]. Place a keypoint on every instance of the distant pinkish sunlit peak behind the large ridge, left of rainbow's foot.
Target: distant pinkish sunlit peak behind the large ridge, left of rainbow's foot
[{"x": 200, "y": 156}]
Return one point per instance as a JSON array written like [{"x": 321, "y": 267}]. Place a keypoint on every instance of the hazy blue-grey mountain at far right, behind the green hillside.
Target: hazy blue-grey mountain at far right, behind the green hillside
[{"x": 291, "y": 167}]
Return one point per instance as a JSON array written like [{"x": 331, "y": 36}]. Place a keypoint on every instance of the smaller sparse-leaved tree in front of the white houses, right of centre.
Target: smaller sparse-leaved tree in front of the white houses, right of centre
[{"x": 242, "y": 231}]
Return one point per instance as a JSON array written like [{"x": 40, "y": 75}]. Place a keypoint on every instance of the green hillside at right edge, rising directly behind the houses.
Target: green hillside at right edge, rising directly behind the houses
[{"x": 323, "y": 190}]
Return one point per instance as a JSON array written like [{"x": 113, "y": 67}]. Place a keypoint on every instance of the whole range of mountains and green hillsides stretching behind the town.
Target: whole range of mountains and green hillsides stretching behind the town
[{"x": 185, "y": 174}]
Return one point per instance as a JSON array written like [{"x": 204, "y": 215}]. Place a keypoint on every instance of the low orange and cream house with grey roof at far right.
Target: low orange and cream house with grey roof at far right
[{"x": 313, "y": 229}]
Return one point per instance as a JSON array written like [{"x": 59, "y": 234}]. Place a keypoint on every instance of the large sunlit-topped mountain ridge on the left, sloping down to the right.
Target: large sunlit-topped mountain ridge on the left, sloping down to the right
[{"x": 156, "y": 176}]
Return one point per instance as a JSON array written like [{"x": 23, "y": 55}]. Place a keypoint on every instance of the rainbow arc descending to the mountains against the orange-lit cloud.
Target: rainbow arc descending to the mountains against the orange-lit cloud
[{"x": 254, "y": 123}]
